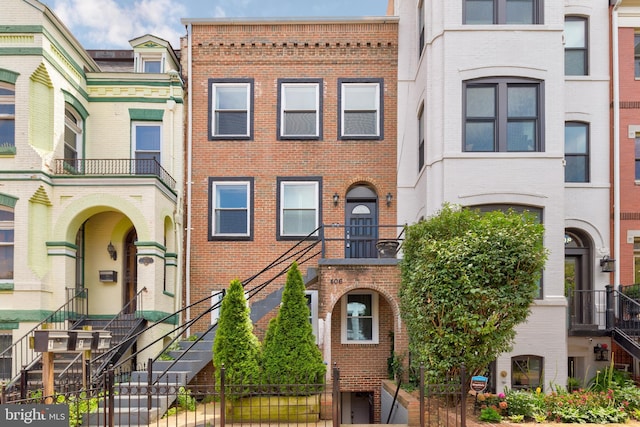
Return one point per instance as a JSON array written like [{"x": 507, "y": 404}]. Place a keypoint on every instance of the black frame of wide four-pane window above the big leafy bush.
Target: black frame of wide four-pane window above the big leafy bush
[{"x": 501, "y": 119}]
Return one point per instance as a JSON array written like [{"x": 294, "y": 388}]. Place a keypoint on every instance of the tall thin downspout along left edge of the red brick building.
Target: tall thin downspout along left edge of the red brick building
[{"x": 187, "y": 272}]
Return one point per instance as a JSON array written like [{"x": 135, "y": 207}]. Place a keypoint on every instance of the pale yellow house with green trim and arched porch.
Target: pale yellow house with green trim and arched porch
[{"x": 91, "y": 167}]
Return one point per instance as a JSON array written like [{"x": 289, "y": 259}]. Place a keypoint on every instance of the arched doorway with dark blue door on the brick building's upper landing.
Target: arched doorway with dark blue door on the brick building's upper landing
[{"x": 361, "y": 223}]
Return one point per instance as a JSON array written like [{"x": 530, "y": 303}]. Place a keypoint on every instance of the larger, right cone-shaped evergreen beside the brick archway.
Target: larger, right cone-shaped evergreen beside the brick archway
[{"x": 290, "y": 354}]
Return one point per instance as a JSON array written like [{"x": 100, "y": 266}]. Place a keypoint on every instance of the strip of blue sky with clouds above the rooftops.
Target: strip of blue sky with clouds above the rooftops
[{"x": 110, "y": 24}]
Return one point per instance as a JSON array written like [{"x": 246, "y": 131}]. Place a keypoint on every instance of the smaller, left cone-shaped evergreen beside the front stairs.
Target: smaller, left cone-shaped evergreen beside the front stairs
[{"x": 235, "y": 345}]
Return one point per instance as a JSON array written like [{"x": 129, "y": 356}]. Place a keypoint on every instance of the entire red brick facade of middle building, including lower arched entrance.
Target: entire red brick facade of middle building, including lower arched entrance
[{"x": 266, "y": 52}]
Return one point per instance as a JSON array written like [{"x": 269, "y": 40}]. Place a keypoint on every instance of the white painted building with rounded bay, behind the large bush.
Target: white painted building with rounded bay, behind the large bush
[{"x": 505, "y": 104}]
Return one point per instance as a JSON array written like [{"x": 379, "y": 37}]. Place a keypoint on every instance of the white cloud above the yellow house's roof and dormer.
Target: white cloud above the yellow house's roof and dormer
[{"x": 111, "y": 24}]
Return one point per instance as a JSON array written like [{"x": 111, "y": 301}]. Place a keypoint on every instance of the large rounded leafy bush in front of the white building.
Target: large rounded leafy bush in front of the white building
[{"x": 468, "y": 279}]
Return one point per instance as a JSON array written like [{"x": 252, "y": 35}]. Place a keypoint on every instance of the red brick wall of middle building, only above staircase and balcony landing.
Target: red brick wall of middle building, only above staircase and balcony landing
[{"x": 265, "y": 53}]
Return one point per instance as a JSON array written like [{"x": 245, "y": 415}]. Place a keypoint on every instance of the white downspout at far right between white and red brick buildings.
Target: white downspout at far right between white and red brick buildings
[{"x": 616, "y": 140}]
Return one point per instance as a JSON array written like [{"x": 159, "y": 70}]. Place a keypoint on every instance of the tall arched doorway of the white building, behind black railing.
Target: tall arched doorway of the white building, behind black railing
[{"x": 577, "y": 275}]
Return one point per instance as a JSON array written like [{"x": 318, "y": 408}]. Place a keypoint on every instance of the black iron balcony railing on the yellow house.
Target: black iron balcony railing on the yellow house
[{"x": 113, "y": 167}]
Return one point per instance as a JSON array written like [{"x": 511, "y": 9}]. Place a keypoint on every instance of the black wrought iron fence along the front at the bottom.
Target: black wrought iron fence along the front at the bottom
[{"x": 119, "y": 398}]
